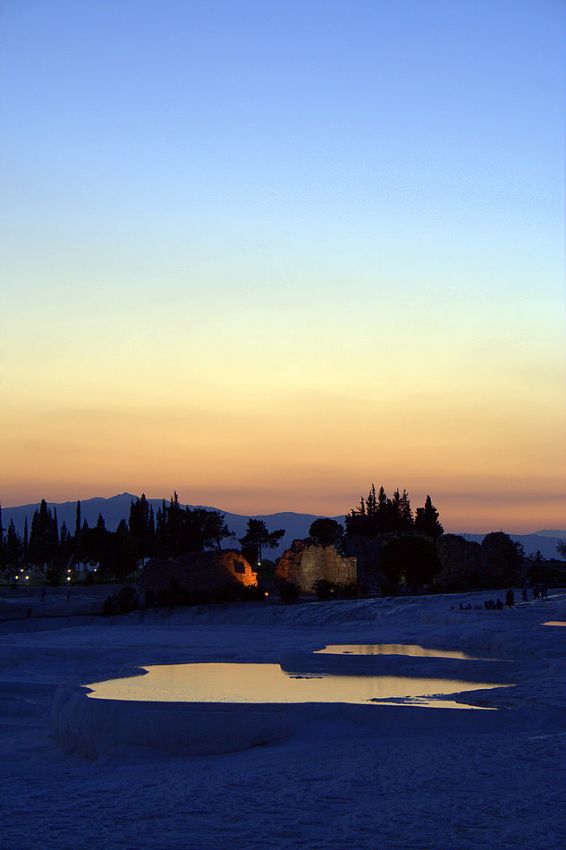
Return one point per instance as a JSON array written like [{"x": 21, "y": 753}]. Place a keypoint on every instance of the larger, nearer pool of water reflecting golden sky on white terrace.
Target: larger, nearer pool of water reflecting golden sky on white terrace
[{"x": 268, "y": 683}]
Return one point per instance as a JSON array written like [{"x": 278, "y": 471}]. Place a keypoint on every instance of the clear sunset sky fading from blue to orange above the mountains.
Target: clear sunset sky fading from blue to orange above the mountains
[{"x": 267, "y": 253}]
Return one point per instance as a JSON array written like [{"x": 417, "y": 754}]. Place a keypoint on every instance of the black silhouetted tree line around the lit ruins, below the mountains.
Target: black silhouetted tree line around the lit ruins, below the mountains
[{"x": 409, "y": 554}]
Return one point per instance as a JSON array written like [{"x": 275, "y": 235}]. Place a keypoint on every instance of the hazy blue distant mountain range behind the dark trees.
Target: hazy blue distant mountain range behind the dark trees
[{"x": 296, "y": 525}]
